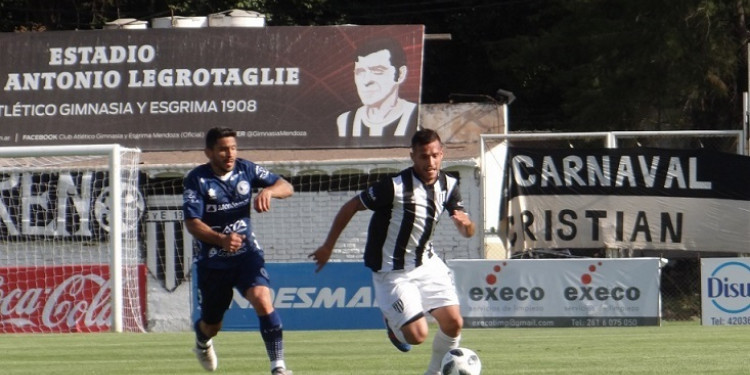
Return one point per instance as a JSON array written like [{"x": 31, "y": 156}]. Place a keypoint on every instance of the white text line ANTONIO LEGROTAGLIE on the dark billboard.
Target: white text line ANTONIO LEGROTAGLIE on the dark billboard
[{"x": 148, "y": 78}]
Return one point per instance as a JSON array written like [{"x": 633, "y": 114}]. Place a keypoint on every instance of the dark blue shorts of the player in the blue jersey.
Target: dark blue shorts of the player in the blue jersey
[{"x": 215, "y": 285}]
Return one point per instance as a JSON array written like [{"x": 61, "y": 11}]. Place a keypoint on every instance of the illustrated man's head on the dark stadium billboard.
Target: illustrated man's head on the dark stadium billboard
[{"x": 376, "y": 77}]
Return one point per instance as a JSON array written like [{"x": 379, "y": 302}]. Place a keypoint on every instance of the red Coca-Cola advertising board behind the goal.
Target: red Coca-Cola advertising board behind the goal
[{"x": 70, "y": 298}]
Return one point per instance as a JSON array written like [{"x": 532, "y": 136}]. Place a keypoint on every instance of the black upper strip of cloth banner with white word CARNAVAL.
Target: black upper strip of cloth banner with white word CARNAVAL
[{"x": 640, "y": 171}]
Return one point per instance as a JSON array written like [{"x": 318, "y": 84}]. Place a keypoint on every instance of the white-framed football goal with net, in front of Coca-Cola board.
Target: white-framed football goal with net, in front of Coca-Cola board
[{"x": 69, "y": 258}]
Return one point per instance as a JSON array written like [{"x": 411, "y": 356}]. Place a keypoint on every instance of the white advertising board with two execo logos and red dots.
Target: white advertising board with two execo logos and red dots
[{"x": 558, "y": 292}]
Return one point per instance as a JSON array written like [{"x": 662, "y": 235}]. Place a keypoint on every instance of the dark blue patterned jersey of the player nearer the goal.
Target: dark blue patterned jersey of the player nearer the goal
[{"x": 224, "y": 205}]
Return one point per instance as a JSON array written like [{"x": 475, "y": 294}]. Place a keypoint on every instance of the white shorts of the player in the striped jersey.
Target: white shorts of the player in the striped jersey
[{"x": 403, "y": 295}]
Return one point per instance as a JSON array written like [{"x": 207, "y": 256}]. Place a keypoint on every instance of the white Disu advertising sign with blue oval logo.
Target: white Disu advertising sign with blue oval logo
[{"x": 725, "y": 291}]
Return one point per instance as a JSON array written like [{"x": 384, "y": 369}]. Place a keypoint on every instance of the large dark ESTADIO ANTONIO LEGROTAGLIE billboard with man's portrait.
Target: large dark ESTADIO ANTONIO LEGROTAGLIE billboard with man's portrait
[{"x": 161, "y": 89}]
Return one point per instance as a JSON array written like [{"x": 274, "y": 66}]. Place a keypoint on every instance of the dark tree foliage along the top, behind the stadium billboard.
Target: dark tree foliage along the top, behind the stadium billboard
[{"x": 572, "y": 64}]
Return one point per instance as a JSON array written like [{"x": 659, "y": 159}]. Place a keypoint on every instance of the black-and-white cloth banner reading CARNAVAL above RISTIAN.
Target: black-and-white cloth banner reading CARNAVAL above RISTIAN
[{"x": 695, "y": 200}]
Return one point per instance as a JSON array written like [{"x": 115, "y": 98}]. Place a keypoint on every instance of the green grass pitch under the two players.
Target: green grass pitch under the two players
[{"x": 673, "y": 348}]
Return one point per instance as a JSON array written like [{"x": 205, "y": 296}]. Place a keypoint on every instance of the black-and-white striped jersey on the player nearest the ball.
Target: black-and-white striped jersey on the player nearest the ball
[{"x": 406, "y": 212}]
